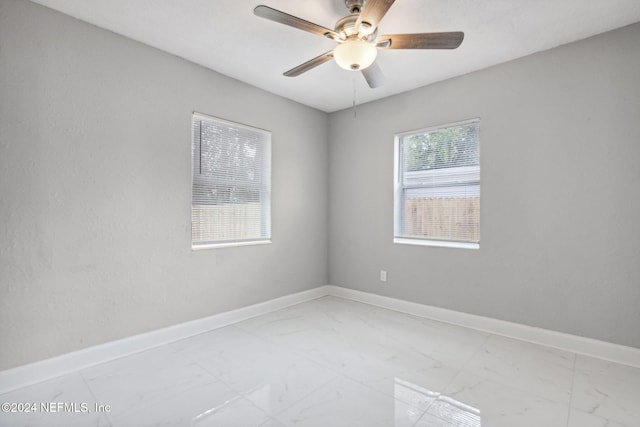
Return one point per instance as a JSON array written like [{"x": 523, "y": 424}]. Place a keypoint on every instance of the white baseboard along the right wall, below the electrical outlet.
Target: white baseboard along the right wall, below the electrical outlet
[{"x": 573, "y": 343}]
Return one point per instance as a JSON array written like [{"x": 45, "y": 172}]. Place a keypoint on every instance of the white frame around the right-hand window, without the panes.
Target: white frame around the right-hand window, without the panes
[{"x": 398, "y": 212}]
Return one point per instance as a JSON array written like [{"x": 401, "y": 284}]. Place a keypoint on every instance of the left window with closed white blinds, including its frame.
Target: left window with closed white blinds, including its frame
[{"x": 231, "y": 184}]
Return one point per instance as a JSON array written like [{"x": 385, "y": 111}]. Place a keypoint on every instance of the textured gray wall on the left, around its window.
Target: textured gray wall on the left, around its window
[{"x": 95, "y": 189}]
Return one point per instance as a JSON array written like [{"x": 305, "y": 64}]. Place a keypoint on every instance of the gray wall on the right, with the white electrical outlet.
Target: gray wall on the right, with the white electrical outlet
[{"x": 560, "y": 213}]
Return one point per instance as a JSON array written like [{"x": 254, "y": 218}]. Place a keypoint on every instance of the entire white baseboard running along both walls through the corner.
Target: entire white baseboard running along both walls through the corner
[{"x": 32, "y": 373}]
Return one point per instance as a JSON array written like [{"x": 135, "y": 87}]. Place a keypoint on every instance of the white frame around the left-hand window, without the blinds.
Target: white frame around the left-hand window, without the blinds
[{"x": 265, "y": 206}]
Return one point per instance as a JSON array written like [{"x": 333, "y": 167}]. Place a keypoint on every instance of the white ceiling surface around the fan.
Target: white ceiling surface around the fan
[{"x": 225, "y": 36}]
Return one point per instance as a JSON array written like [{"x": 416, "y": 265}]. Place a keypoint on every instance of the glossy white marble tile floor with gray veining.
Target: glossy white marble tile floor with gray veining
[{"x": 335, "y": 362}]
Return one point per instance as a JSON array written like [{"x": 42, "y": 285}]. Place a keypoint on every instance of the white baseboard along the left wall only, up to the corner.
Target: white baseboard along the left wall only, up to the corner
[{"x": 36, "y": 372}]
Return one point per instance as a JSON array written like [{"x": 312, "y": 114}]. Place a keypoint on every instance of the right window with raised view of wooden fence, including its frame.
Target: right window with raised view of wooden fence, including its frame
[{"x": 437, "y": 197}]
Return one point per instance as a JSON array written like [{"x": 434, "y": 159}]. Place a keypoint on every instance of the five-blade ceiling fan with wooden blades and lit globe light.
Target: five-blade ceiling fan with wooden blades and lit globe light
[{"x": 357, "y": 35}]
